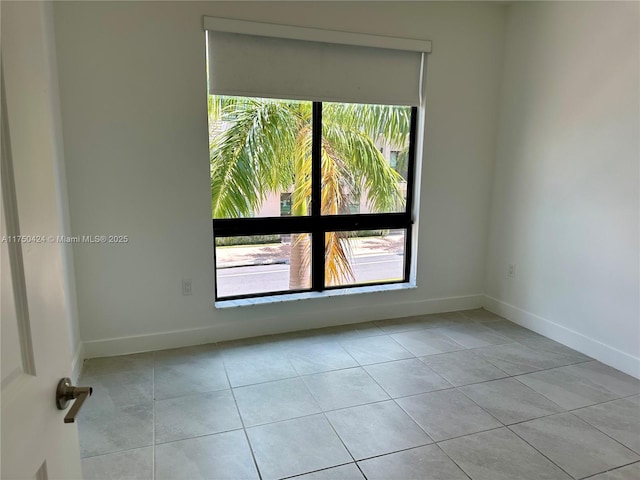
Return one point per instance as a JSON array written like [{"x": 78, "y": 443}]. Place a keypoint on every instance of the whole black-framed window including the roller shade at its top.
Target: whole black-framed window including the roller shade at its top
[{"x": 305, "y": 196}]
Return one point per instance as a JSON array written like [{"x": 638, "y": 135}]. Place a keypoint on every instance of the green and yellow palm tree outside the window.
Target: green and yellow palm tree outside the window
[{"x": 259, "y": 146}]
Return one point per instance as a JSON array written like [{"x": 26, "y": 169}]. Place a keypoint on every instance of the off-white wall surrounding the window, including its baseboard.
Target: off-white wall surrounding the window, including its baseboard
[{"x": 132, "y": 81}]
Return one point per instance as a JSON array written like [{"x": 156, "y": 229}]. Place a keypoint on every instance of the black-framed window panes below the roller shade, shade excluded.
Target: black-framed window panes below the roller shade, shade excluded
[{"x": 303, "y": 169}]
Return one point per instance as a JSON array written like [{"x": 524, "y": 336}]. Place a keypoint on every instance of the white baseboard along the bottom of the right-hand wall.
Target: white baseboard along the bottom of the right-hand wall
[{"x": 604, "y": 353}]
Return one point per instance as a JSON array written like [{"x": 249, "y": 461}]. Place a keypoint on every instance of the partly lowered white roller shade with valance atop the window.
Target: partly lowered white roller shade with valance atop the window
[{"x": 278, "y": 61}]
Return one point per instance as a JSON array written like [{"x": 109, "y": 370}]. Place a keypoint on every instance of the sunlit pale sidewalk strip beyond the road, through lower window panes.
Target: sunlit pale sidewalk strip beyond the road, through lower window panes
[{"x": 278, "y": 253}]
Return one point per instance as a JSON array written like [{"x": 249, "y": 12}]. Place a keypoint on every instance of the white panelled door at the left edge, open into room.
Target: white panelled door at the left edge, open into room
[{"x": 36, "y": 443}]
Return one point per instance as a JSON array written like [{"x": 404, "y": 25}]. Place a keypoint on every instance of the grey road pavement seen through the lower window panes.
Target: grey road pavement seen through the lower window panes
[{"x": 270, "y": 278}]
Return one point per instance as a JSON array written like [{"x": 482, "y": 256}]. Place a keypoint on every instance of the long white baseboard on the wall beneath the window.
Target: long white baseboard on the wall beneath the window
[{"x": 250, "y": 328}]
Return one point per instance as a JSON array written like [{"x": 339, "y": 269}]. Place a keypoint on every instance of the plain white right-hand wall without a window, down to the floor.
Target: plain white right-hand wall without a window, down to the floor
[{"x": 565, "y": 203}]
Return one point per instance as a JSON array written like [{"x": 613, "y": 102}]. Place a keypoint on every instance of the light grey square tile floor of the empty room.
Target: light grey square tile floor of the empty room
[{"x": 463, "y": 395}]
